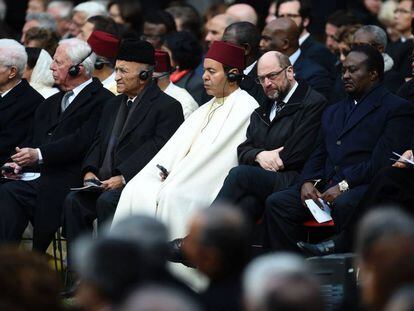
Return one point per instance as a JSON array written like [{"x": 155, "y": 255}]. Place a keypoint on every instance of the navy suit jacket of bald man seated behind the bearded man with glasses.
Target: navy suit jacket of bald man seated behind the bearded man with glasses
[{"x": 314, "y": 75}]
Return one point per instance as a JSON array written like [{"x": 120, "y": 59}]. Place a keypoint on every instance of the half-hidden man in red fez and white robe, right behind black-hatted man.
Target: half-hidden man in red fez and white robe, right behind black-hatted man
[{"x": 162, "y": 74}]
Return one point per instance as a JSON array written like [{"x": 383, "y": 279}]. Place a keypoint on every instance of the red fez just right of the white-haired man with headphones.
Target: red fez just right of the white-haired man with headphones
[{"x": 104, "y": 44}]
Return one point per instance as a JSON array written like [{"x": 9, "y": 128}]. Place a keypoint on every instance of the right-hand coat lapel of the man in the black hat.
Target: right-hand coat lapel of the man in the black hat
[{"x": 140, "y": 111}]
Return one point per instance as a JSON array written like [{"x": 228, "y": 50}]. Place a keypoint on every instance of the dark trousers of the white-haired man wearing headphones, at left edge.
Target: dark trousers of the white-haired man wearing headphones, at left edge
[{"x": 17, "y": 207}]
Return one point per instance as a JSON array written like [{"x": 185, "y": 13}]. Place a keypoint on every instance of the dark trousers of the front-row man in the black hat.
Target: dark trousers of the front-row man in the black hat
[{"x": 81, "y": 208}]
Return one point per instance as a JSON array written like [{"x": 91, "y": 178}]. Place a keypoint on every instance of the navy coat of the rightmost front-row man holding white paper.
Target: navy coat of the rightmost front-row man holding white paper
[{"x": 355, "y": 145}]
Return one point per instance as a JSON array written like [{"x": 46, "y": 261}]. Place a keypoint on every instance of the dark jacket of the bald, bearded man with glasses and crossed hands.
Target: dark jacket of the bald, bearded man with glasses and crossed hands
[{"x": 295, "y": 128}]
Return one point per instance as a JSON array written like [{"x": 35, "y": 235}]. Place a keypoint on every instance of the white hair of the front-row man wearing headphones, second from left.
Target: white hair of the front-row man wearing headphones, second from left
[{"x": 77, "y": 50}]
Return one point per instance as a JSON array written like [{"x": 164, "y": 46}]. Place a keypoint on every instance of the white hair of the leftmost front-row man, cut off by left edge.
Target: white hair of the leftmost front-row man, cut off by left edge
[{"x": 12, "y": 53}]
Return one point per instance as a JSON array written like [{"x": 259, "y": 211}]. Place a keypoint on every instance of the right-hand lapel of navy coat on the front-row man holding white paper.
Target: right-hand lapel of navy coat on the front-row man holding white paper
[{"x": 369, "y": 103}]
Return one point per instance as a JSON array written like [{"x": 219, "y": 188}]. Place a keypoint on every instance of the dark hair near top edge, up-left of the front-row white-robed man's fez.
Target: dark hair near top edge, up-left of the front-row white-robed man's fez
[{"x": 189, "y": 16}]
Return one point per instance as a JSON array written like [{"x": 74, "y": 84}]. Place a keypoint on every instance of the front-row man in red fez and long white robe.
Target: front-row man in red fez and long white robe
[{"x": 189, "y": 170}]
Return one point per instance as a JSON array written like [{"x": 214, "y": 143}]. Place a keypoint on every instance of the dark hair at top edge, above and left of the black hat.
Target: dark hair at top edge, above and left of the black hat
[{"x": 131, "y": 13}]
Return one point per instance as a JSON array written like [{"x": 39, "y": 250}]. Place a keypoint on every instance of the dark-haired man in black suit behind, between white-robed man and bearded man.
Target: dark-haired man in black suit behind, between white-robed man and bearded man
[{"x": 247, "y": 36}]
